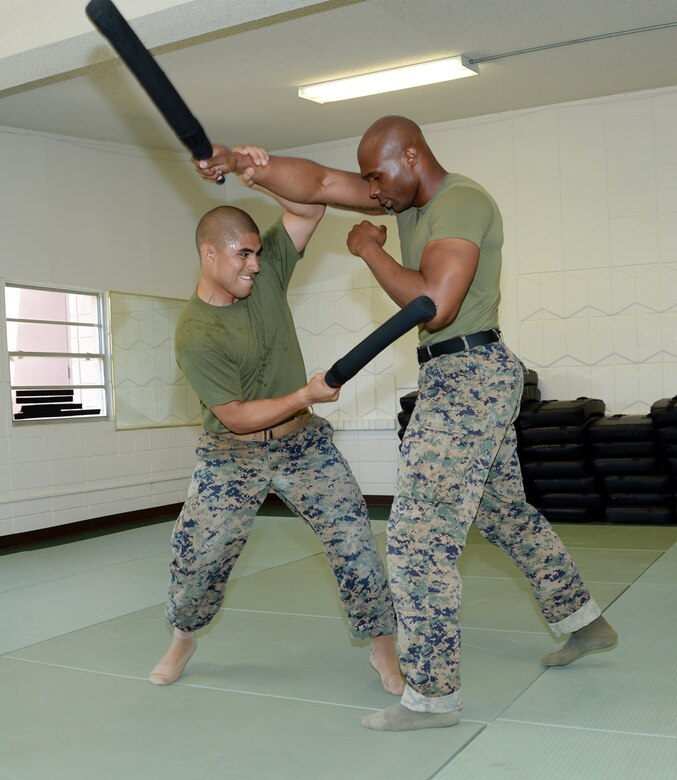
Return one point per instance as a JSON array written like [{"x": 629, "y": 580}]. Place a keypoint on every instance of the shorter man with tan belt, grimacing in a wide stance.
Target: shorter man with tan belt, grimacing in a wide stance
[{"x": 237, "y": 345}]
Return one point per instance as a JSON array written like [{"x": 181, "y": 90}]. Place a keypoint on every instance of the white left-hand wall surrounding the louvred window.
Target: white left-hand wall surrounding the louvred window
[{"x": 96, "y": 217}]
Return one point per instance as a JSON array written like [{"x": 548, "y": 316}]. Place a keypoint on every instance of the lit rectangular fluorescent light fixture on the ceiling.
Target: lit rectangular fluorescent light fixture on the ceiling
[{"x": 390, "y": 80}]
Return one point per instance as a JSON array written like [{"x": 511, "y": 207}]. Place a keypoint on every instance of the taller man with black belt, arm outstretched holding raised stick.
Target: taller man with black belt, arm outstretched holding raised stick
[{"x": 458, "y": 461}]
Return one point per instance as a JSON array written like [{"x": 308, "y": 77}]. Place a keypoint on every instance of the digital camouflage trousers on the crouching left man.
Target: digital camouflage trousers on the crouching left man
[{"x": 230, "y": 483}]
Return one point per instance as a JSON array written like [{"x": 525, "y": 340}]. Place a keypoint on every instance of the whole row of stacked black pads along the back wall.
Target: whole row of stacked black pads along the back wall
[{"x": 579, "y": 465}]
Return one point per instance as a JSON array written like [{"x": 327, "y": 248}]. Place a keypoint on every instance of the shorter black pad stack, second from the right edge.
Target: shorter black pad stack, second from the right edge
[{"x": 627, "y": 459}]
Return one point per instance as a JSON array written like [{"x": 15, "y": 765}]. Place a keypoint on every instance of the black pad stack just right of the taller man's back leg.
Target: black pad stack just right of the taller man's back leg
[{"x": 553, "y": 450}]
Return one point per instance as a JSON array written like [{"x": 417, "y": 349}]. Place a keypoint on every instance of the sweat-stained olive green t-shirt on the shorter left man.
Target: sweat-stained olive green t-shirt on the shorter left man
[{"x": 247, "y": 350}]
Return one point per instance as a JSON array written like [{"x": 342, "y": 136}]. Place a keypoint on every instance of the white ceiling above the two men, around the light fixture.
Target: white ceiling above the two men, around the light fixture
[{"x": 238, "y": 63}]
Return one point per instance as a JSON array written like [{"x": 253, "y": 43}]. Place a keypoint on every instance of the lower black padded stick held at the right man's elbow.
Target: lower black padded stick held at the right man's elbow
[{"x": 417, "y": 311}]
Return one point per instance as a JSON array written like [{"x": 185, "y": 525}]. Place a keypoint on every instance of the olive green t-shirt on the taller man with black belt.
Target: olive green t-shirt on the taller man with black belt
[{"x": 461, "y": 208}]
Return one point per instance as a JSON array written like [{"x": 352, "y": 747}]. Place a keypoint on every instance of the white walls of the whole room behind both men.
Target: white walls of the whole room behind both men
[{"x": 589, "y": 197}]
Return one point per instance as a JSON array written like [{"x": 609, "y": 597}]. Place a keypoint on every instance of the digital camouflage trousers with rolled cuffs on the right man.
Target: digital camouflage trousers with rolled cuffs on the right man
[{"x": 458, "y": 466}]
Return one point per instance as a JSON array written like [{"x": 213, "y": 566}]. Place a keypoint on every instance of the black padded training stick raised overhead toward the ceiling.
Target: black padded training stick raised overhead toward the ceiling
[{"x": 105, "y": 16}]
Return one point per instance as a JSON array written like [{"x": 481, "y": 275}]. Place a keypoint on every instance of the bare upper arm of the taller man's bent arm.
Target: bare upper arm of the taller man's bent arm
[{"x": 448, "y": 266}]
